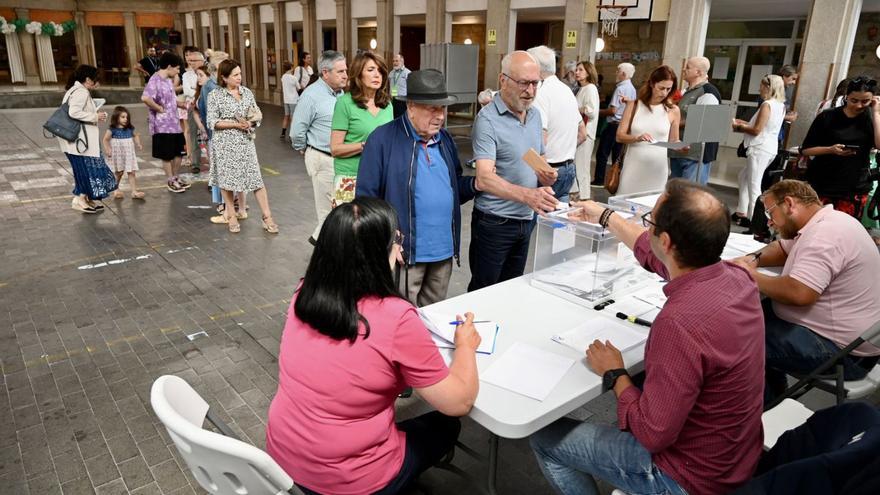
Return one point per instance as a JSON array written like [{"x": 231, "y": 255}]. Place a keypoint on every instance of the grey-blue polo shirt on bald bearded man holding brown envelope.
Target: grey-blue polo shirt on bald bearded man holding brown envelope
[{"x": 499, "y": 135}]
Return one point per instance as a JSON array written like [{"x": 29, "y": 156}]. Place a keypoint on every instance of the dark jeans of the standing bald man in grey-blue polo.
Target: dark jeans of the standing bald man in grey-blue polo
[{"x": 499, "y": 248}]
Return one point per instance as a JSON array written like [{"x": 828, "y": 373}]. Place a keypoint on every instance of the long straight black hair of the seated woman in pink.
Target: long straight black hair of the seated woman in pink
[{"x": 350, "y": 262}]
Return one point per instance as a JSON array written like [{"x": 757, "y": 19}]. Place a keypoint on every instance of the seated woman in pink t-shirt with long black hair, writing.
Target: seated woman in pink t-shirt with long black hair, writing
[{"x": 351, "y": 344}]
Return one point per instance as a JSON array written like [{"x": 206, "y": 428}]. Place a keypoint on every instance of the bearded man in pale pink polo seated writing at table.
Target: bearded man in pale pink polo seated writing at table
[{"x": 828, "y": 293}]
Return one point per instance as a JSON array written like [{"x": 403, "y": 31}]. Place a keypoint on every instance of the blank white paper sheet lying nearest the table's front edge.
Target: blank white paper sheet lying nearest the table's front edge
[{"x": 528, "y": 370}]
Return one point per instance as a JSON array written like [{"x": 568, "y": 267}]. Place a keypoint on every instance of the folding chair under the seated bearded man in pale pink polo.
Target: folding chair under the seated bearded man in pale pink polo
[{"x": 829, "y": 375}]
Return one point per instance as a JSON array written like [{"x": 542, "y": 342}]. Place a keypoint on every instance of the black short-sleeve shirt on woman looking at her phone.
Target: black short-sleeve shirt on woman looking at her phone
[{"x": 840, "y": 175}]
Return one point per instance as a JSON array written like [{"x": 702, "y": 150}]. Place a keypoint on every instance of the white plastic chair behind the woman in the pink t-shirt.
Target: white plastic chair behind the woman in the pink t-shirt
[{"x": 222, "y": 464}]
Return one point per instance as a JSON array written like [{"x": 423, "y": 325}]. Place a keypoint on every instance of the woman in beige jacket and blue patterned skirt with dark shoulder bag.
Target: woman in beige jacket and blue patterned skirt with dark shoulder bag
[{"x": 93, "y": 179}]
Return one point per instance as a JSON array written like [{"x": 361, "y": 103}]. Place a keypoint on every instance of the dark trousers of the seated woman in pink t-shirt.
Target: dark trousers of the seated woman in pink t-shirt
[{"x": 429, "y": 438}]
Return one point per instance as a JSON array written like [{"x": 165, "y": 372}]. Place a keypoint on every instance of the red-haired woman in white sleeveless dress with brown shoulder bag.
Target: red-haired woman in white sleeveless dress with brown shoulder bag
[{"x": 652, "y": 117}]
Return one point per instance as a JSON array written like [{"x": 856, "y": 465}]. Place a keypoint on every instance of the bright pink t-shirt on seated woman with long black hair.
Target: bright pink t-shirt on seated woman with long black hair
[{"x": 331, "y": 424}]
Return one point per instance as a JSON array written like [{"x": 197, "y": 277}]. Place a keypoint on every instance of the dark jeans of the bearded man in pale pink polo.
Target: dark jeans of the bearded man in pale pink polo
[{"x": 794, "y": 348}]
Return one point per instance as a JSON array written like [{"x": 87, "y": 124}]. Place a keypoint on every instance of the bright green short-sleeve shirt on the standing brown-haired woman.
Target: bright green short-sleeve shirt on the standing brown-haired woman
[{"x": 358, "y": 123}]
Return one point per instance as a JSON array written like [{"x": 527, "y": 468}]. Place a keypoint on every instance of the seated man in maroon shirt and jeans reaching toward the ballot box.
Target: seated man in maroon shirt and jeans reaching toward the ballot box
[{"x": 695, "y": 427}]
